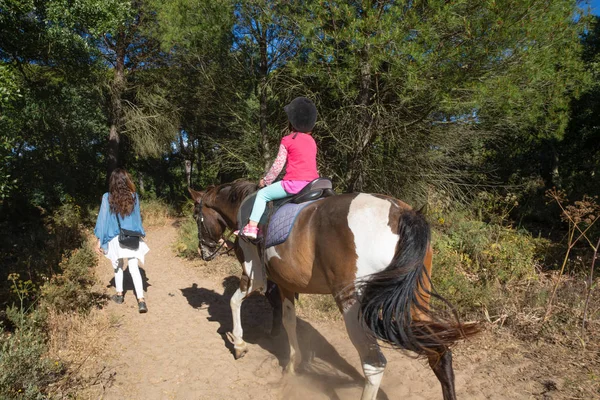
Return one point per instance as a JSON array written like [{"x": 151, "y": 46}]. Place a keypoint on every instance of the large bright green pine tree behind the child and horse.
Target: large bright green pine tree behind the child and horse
[{"x": 412, "y": 93}]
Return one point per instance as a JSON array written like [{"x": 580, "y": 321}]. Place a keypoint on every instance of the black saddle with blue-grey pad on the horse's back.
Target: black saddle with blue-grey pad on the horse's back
[{"x": 317, "y": 189}]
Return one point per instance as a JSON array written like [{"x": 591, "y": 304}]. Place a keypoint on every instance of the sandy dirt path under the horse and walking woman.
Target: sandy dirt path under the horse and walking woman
[{"x": 178, "y": 350}]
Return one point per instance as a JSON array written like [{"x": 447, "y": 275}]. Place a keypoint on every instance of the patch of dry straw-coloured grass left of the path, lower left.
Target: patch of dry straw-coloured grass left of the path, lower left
[{"x": 81, "y": 342}]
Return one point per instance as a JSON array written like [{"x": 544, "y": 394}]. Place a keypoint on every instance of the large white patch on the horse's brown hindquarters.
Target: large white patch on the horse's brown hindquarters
[{"x": 374, "y": 240}]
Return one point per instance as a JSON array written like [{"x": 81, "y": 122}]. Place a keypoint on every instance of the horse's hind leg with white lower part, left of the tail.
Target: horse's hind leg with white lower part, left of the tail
[{"x": 372, "y": 359}]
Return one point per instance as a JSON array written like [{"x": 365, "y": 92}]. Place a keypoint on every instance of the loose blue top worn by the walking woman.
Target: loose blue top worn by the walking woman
[{"x": 106, "y": 224}]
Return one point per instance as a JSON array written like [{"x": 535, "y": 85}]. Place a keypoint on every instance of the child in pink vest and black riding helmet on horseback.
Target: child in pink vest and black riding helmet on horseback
[{"x": 299, "y": 150}]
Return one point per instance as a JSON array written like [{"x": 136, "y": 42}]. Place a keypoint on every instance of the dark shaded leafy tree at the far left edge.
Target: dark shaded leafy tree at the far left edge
[{"x": 51, "y": 116}]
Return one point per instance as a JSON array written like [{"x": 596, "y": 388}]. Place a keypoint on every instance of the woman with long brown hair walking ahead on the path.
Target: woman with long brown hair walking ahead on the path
[{"x": 121, "y": 202}]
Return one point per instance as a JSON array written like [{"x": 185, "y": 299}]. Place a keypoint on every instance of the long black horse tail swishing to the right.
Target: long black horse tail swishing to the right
[{"x": 391, "y": 299}]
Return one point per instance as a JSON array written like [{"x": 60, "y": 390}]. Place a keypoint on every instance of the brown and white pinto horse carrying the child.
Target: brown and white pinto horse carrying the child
[{"x": 371, "y": 252}]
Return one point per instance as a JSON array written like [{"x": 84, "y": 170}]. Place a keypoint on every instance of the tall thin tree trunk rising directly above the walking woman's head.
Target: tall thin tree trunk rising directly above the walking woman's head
[{"x": 116, "y": 107}]
